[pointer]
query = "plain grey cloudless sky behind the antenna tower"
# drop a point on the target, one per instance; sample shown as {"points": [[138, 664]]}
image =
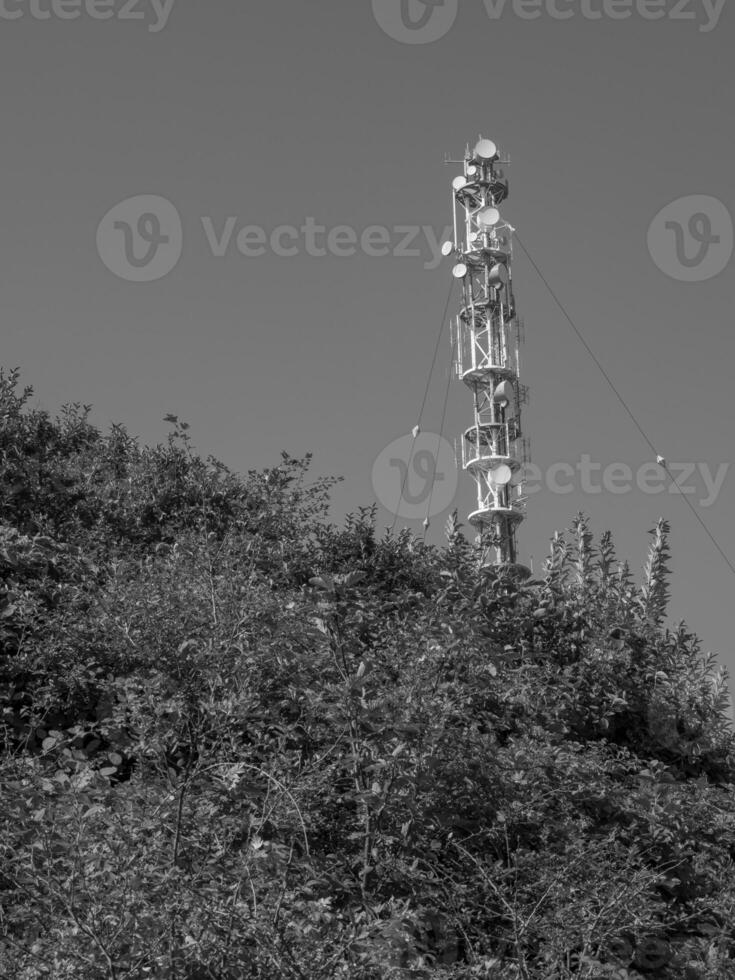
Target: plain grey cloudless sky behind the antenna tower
{"points": [[231, 212]]}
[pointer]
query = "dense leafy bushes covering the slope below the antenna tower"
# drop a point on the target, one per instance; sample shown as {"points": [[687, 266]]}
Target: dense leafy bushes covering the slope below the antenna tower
{"points": [[240, 742]]}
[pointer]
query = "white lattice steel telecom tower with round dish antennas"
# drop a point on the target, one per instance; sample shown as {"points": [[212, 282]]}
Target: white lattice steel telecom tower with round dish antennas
{"points": [[487, 335]]}
